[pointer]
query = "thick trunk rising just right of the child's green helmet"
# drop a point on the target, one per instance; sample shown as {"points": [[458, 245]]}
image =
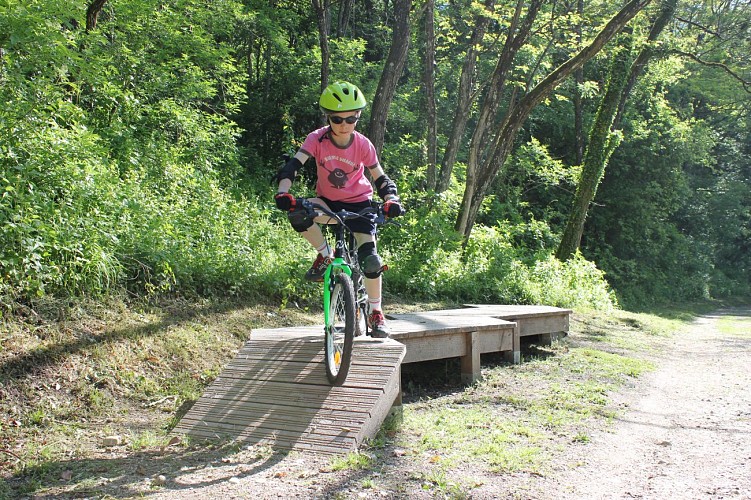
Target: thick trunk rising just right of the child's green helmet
{"points": [[391, 73]]}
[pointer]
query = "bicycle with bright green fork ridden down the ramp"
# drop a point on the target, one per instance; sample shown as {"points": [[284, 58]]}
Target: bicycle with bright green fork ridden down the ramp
{"points": [[345, 302]]}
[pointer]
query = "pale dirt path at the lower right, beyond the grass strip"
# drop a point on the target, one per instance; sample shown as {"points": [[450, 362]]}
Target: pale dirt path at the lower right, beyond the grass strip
{"points": [[688, 431]]}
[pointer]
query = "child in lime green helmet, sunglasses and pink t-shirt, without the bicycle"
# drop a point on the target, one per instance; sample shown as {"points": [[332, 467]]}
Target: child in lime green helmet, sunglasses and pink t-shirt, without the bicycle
{"points": [[343, 156]]}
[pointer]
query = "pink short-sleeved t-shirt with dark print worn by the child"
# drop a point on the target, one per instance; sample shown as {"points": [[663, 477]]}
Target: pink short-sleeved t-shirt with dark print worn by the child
{"points": [[341, 171]]}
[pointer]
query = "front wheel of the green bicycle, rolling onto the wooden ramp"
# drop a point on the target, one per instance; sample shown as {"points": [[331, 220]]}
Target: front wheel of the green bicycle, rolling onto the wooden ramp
{"points": [[340, 333]]}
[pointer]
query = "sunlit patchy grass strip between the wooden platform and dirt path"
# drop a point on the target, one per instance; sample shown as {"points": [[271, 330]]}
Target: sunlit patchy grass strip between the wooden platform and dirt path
{"points": [[519, 416]]}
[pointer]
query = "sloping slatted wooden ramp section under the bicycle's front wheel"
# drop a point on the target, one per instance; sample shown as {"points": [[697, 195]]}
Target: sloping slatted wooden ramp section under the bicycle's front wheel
{"points": [[275, 392]]}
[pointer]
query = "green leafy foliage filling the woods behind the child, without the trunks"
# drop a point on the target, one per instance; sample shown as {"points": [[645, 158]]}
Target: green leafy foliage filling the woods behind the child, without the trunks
{"points": [[137, 155]]}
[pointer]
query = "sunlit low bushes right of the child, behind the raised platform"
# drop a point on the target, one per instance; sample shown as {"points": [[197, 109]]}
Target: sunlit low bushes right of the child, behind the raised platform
{"points": [[428, 261]]}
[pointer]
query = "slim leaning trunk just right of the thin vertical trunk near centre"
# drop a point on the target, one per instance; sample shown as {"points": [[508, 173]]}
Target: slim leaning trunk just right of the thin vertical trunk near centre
{"points": [[464, 99]]}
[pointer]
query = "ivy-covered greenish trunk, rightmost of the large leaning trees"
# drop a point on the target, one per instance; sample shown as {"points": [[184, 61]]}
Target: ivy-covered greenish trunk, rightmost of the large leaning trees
{"points": [[602, 142]]}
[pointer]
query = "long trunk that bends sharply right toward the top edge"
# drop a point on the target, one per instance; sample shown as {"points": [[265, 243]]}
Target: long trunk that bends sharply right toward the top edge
{"points": [[476, 190]]}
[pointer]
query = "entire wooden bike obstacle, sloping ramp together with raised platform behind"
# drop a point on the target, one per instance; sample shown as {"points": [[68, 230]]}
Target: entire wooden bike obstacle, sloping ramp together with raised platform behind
{"points": [[275, 391]]}
